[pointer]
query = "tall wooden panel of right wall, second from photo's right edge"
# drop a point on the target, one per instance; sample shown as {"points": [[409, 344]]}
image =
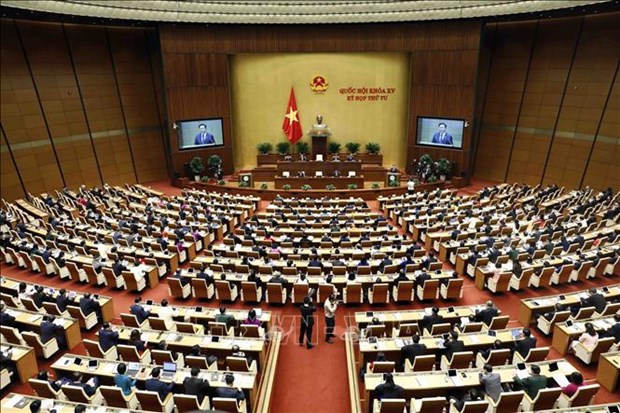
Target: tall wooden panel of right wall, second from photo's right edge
{"points": [[590, 80]]}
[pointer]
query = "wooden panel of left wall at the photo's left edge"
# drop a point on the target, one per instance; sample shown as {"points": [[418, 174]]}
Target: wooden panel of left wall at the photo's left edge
{"points": [[22, 120]]}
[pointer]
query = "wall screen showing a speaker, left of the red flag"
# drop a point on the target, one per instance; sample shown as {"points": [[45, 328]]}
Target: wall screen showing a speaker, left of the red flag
{"points": [[200, 133]]}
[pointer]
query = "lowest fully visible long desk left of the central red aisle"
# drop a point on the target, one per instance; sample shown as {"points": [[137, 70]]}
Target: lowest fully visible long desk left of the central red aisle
{"points": [[106, 370]]}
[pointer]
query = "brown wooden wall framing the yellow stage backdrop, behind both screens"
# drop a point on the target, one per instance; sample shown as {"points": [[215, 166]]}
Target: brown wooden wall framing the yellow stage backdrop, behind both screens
{"points": [[443, 71]]}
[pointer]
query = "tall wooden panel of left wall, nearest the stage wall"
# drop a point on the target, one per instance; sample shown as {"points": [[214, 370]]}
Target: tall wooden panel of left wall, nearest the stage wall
{"points": [[134, 75]]}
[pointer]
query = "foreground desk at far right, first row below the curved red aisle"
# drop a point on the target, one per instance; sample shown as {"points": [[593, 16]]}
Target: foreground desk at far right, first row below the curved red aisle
{"points": [[529, 308]]}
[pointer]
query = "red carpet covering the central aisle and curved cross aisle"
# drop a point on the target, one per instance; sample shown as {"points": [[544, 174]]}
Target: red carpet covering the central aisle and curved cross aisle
{"points": [[316, 380]]}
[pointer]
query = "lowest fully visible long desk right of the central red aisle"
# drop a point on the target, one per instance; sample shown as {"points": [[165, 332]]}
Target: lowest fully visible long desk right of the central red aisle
{"points": [[436, 383]]}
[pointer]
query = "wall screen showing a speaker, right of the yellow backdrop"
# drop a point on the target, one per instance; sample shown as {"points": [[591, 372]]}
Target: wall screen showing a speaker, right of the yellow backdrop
{"points": [[440, 132]]}
